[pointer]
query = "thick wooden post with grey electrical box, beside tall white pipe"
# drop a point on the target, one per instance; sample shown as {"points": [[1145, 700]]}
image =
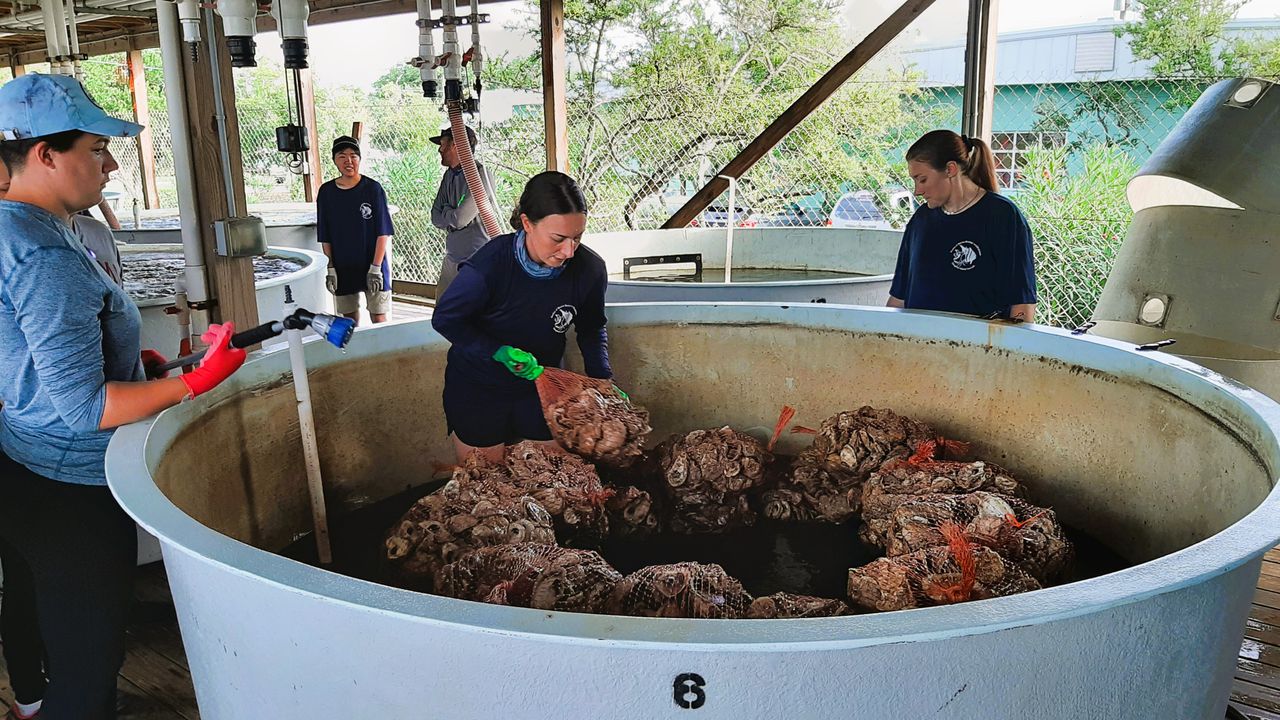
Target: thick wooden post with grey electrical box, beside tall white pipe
{"points": [[231, 280]]}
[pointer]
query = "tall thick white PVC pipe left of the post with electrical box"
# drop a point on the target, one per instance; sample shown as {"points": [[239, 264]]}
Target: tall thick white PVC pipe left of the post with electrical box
{"points": [[176, 97]]}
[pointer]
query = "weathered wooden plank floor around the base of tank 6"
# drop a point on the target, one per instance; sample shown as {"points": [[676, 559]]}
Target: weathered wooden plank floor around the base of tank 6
{"points": [[157, 682]]}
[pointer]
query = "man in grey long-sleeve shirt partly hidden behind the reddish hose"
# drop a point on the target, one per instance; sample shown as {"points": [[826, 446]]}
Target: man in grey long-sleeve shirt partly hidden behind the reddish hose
{"points": [[455, 209]]}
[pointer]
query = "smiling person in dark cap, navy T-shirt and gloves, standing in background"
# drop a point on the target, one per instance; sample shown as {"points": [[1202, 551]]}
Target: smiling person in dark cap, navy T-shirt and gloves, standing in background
{"points": [[354, 224]]}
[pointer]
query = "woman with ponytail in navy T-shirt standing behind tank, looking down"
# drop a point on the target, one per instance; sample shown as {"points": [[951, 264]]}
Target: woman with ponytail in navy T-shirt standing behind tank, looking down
{"points": [[968, 249]]}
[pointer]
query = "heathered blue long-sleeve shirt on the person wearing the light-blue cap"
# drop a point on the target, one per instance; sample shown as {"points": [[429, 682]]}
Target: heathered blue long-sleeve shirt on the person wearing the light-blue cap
{"points": [[66, 331]]}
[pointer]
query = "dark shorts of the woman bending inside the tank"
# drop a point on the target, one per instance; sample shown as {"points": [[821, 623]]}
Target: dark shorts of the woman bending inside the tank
{"points": [[486, 416]]}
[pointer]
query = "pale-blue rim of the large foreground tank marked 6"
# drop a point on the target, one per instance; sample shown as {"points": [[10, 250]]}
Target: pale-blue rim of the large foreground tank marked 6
{"points": [[1242, 543]]}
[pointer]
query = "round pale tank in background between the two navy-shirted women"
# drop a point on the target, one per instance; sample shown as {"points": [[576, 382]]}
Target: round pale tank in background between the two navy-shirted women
{"points": [[867, 257]]}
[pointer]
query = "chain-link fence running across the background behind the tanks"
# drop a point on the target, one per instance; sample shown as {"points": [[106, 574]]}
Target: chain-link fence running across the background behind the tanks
{"points": [[1067, 143]]}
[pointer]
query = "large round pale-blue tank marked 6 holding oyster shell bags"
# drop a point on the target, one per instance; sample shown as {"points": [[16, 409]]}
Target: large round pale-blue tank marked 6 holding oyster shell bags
{"points": [[1159, 459]]}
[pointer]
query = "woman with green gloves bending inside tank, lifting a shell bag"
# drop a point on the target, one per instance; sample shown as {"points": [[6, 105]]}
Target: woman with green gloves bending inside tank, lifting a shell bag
{"points": [[522, 291]]}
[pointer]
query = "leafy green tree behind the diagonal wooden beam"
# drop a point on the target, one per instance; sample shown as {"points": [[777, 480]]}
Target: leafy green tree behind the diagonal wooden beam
{"points": [[664, 94]]}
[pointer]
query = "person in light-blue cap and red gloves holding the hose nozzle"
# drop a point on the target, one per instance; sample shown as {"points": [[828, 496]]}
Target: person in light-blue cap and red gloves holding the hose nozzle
{"points": [[71, 372]]}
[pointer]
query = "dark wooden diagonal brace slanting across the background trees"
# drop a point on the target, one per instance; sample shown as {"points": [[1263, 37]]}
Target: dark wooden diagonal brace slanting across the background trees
{"points": [[813, 98]]}
